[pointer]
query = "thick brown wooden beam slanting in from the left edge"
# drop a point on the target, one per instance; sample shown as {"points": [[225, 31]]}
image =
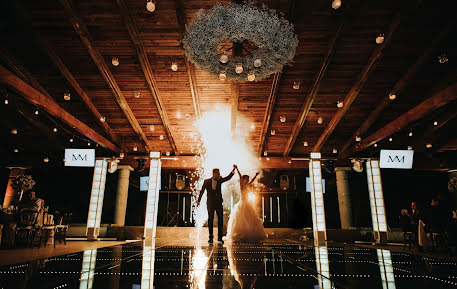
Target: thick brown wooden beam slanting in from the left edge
{"points": [[48, 104]]}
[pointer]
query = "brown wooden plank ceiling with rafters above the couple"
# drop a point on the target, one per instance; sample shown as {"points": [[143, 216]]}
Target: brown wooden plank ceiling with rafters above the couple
{"points": [[67, 46]]}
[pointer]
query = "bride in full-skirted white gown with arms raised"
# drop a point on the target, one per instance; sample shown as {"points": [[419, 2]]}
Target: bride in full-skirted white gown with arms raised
{"points": [[244, 224]]}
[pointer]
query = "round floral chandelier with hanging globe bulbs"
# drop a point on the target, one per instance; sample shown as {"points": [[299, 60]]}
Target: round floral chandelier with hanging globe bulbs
{"points": [[240, 42]]}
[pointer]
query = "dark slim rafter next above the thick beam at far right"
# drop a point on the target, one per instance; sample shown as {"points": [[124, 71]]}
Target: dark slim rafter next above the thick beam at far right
{"points": [[397, 89]]}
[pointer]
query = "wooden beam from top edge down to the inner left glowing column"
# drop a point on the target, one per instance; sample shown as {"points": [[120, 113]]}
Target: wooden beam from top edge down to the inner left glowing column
{"points": [[81, 29]]}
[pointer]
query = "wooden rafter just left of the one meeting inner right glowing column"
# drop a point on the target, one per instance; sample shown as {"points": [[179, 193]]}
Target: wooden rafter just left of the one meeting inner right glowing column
{"points": [[312, 94]]}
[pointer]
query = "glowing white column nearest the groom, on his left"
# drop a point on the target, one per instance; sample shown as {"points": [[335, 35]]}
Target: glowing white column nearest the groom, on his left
{"points": [[152, 199]]}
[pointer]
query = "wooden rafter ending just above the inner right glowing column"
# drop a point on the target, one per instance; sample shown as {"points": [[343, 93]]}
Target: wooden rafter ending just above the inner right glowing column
{"points": [[357, 86]]}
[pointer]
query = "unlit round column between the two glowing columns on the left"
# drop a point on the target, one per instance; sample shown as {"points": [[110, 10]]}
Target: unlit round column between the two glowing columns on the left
{"points": [[122, 195]]}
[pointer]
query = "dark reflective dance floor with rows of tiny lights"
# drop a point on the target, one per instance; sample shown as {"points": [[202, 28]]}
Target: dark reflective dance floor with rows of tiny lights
{"points": [[271, 265]]}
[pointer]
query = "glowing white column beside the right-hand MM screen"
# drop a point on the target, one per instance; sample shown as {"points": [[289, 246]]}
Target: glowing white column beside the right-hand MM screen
{"points": [[378, 212]]}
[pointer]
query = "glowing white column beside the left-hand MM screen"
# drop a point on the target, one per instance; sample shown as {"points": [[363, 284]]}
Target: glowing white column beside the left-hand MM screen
{"points": [[96, 199]]}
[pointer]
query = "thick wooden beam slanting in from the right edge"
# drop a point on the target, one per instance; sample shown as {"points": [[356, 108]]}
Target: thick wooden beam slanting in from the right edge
{"points": [[432, 103]]}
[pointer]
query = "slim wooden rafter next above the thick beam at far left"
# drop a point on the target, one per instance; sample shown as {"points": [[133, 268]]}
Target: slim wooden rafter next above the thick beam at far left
{"points": [[74, 83]]}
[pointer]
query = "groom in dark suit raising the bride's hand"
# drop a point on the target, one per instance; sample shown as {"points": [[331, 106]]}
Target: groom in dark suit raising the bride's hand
{"points": [[214, 201]]}
